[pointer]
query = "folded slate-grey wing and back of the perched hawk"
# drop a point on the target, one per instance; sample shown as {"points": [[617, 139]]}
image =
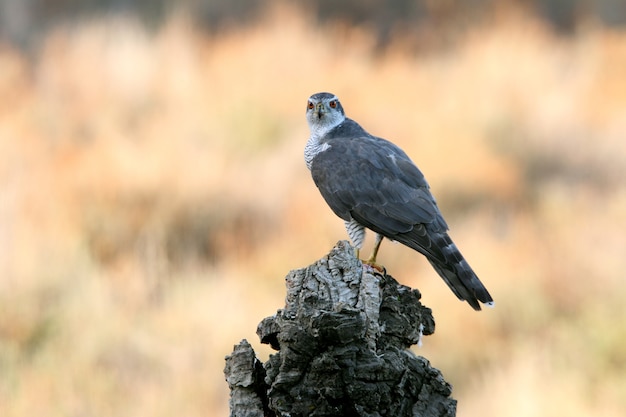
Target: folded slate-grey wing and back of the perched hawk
{"points": [[374, 182]]}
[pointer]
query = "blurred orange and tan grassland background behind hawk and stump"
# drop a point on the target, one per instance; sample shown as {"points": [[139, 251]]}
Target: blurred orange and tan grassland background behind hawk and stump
{"points": [[153, 193]]}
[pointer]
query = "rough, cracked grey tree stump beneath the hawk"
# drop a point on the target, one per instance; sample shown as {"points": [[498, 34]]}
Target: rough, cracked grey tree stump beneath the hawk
{"points": [[342, 342]]}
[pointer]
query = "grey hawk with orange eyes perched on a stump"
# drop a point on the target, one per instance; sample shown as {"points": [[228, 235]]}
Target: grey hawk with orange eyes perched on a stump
{"points": [[372, 184]]}
